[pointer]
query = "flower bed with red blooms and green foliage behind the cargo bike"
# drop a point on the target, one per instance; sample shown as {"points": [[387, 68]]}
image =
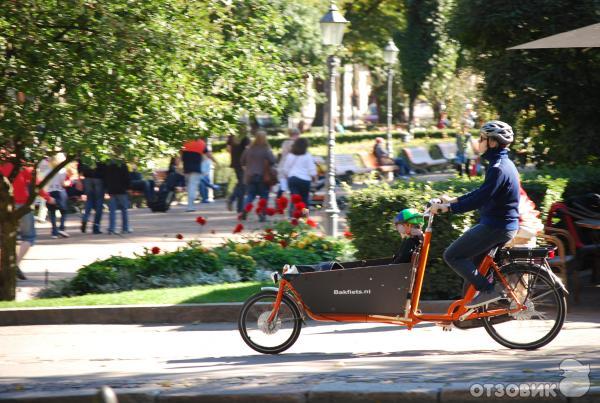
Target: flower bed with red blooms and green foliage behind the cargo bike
{"points": [[286, 241]]}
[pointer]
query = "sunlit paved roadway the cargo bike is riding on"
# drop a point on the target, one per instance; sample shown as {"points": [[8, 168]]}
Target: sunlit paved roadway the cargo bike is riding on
{"points": [[214, 358]]}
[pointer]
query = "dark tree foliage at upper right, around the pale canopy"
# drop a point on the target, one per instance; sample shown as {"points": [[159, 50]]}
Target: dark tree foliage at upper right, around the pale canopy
{"points": [[549, 93]]}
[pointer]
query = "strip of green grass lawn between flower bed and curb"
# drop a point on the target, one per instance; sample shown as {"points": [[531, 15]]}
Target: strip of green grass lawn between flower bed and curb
{"points": [[233, 292]]}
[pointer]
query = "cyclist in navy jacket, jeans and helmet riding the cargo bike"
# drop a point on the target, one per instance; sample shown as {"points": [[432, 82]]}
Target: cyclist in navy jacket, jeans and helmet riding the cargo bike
{"points": [[497, 200]]}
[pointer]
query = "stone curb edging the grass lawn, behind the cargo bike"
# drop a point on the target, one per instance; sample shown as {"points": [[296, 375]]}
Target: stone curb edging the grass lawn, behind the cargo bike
{"points": [[141, 314]]}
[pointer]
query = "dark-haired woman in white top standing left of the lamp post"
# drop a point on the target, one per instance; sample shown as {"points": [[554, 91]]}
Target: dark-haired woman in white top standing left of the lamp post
{"points": [[300, 169]]}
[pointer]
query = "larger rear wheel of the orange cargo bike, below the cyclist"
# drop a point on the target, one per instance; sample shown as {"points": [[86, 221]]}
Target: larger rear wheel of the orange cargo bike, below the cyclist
{"points": [[543, 319]]}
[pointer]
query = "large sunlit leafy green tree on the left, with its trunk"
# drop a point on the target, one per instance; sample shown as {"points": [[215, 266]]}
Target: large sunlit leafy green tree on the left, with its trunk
{"points": [[133, 77]]}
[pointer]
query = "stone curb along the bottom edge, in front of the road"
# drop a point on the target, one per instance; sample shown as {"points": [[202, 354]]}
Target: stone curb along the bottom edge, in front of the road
{"points": [[317, 394]]}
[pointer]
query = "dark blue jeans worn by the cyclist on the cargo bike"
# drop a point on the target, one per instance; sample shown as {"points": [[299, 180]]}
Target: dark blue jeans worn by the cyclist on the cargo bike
{"points": [[477, 241]]}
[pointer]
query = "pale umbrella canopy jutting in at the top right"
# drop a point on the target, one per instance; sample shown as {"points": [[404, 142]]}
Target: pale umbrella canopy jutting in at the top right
{"points": [[586, 37]]}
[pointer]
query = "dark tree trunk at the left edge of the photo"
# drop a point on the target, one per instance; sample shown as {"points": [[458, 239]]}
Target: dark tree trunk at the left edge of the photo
{"points": [[8, 239]]}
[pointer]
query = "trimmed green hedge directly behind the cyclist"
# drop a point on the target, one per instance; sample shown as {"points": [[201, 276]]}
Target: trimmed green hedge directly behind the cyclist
{"points": [[371, 212]]}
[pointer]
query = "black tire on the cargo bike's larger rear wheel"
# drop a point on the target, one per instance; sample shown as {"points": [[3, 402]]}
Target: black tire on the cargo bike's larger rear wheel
{"points": [[561, 305]]}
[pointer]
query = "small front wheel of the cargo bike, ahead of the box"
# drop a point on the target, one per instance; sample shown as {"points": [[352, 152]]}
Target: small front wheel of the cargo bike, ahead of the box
{"points": [[262, 335]]}
